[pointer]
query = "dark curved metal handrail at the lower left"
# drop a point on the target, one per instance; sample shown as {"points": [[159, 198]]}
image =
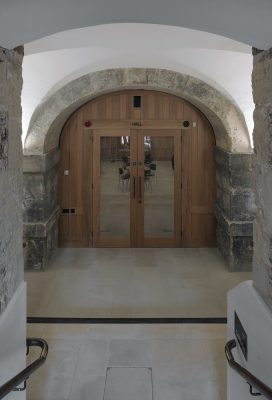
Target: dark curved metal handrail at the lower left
{"points": [[25, 373]]}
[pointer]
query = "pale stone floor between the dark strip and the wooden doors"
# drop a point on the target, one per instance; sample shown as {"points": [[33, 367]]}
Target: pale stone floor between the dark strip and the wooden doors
{"points": [[132, 283]]}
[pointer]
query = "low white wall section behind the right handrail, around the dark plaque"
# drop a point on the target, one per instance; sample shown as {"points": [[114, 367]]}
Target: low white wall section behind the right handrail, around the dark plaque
{"points": [[256, 319]]}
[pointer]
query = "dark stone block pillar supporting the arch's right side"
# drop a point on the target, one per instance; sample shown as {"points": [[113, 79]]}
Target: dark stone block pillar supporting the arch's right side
{"points": [[235, 208]]}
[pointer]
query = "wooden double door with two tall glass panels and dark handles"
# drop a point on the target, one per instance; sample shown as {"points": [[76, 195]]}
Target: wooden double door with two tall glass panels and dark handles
{"points": [[137, 188]]}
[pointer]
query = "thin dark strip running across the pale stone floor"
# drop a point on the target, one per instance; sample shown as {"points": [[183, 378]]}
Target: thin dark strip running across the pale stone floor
{"points": [[75, 320]]}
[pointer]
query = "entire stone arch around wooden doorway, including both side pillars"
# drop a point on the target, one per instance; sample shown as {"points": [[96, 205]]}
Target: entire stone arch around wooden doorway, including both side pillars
{"points": [[234, 206]]}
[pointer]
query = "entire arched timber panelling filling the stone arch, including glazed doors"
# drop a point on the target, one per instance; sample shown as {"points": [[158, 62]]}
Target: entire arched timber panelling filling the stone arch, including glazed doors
{"points": [[137, 169]]}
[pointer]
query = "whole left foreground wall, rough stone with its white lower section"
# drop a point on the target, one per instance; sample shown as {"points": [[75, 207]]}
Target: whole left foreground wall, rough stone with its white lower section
{"points": [[12, 287]]}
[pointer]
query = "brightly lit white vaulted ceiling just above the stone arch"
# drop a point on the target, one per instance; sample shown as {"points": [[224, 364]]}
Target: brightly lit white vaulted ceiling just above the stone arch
{"points": [[57, 60]]}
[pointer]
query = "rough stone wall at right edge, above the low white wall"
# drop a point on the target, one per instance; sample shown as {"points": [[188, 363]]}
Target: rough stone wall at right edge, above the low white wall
{"points": [[262, 94]]}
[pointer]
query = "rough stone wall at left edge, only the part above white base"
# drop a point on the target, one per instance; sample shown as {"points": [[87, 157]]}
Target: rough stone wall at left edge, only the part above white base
{"points": [[11, 244]]}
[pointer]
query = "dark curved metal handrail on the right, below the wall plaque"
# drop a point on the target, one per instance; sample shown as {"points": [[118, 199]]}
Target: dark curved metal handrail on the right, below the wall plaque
{"points": [[244, 373]]}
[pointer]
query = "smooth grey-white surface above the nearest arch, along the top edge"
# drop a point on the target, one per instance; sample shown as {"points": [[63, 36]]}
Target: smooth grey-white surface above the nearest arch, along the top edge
{"points": [[248, 21]]}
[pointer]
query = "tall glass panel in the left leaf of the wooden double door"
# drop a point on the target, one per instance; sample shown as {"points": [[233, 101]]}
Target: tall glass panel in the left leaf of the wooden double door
{"points": [[113, 190]]}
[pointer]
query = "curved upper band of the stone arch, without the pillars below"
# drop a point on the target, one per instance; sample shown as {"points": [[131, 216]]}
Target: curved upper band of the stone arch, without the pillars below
{"points": [[48, 119]]}
